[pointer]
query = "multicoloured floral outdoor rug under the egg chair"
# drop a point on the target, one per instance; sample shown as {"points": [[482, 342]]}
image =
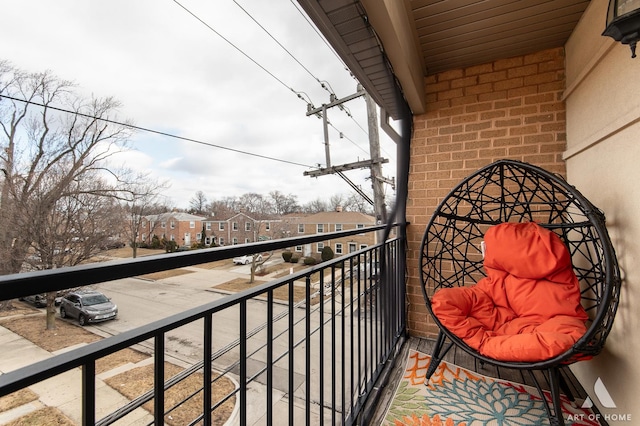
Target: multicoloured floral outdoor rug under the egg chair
{"points": [[459, 397]]}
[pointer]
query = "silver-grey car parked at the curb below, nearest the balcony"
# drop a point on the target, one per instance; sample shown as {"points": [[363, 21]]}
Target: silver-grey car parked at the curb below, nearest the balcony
{"points": [[88, 306]]}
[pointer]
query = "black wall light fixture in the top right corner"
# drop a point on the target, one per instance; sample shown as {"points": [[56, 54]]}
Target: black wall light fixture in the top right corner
{"points": [[623, 22]]}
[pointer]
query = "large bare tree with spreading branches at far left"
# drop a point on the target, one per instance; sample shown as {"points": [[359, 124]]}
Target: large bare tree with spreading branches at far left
{"points": [[55, 149]]}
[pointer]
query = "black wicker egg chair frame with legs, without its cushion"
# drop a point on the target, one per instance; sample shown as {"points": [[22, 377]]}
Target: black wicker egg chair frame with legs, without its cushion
{"points": [[512, 191]]}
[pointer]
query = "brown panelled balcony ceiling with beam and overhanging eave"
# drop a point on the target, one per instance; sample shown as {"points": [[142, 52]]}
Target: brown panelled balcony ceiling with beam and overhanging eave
{"points": [[397, 43]]}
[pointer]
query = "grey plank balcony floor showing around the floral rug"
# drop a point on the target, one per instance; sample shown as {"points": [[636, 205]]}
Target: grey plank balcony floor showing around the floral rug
{"points": [[462, 359]]}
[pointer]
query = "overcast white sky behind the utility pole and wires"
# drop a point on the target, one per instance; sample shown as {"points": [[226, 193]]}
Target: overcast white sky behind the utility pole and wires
{"points": [[174, 74]]}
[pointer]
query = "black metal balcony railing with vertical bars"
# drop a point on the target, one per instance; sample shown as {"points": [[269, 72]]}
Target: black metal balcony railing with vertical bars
{"points": [[311, 358]]}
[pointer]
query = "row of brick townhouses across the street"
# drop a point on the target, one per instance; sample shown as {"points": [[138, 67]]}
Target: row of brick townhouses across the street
{"points": [[241, 228]]}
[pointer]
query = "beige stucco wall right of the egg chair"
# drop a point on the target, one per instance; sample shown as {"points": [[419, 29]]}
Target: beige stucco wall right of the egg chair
{"points": [[603, 113]]}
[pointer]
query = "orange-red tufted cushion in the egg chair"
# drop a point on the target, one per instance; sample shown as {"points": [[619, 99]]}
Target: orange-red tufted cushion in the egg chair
{"points": [[527, 308]]}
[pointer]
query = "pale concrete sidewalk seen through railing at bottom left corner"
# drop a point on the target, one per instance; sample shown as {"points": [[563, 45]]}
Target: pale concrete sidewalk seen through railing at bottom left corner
{"points": [[63, 391]]}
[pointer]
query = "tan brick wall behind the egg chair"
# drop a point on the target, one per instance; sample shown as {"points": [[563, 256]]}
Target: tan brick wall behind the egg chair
{"points": [[510, 108]]}
